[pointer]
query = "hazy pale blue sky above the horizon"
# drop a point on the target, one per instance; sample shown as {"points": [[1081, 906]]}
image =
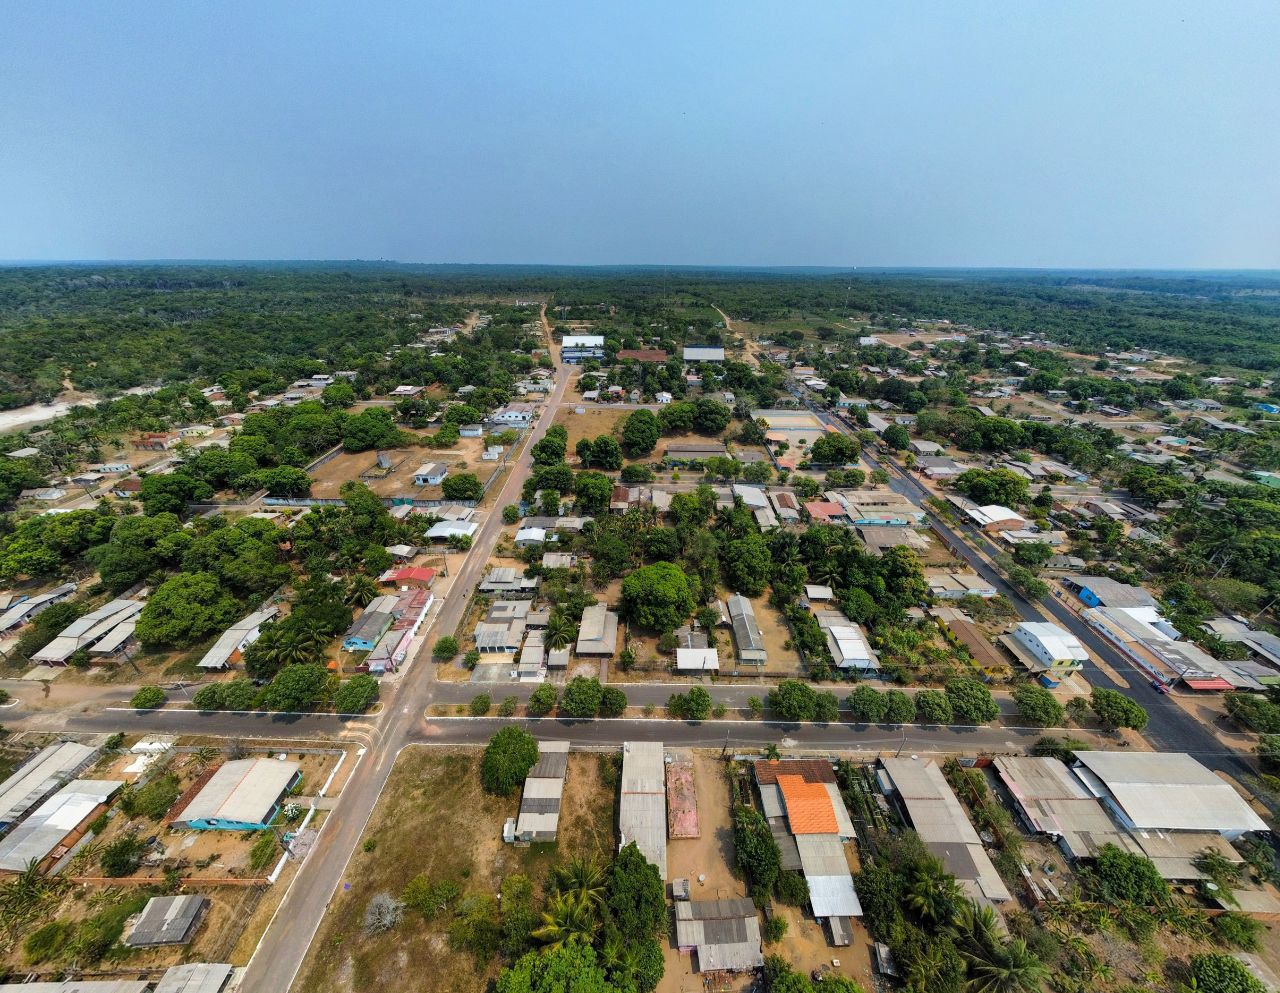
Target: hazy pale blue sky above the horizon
{"points": [[742, 134]]}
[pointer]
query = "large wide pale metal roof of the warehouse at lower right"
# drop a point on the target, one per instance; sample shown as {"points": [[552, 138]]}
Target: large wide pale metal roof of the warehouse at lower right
{"points": [[1165, 791]]}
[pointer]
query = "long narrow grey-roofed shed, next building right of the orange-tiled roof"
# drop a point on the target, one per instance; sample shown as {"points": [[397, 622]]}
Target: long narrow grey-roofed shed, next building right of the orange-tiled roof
{"points": [[938, 817]]}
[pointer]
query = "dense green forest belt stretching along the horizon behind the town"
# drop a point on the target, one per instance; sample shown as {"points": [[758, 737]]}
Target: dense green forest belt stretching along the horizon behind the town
{"points": [[116, 327]]}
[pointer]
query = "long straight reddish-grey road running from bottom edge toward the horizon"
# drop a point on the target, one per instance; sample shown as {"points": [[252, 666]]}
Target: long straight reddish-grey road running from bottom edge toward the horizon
{"points": [[282, 950]]}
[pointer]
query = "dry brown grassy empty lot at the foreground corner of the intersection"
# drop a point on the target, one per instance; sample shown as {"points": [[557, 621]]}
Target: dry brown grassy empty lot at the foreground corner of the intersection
{"points": [[436, 797]]}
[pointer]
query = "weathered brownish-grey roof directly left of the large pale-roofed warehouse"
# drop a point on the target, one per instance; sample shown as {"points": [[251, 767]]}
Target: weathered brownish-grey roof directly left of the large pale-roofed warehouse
{"points": [[1055, 803]]}
